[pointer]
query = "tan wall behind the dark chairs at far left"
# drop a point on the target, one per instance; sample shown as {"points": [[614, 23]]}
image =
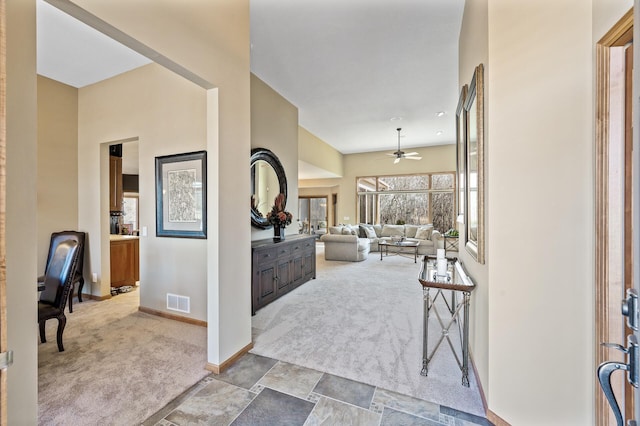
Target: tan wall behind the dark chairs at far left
{"points": [[57, 162]]}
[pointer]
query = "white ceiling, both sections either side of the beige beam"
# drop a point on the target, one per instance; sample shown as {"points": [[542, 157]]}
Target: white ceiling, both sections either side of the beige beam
{"points": [[351, 67]]}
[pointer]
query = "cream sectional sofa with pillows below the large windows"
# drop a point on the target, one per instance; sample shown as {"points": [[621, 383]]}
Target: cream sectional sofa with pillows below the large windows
{"points": [[429, 238]]}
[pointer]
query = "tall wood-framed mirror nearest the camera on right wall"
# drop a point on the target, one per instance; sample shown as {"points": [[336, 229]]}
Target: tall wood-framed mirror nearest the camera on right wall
{"points": [[474, 112]]}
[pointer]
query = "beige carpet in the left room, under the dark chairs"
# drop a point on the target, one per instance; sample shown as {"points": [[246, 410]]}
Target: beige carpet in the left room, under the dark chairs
{"points": [[119, 365]]}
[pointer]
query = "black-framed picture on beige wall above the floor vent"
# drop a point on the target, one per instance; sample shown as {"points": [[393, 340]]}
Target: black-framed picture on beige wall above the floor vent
{"points": [[181, 195]]}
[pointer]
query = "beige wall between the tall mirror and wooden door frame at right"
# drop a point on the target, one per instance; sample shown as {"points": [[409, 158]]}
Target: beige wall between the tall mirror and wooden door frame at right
{"points": [[534, 304]]}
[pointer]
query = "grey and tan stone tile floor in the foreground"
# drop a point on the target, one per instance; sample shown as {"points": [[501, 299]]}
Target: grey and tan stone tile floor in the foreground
{"points": [[264, 391]]}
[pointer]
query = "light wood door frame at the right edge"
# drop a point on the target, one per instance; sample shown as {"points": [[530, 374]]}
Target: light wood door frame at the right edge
{"points": [[619, 35]]}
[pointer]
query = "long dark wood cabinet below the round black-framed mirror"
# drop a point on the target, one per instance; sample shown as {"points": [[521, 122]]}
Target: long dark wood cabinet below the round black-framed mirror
{"points": [[278, 268]]}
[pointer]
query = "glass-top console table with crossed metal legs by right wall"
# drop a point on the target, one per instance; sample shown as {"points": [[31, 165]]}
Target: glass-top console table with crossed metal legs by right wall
{"points": [[455, 310]]}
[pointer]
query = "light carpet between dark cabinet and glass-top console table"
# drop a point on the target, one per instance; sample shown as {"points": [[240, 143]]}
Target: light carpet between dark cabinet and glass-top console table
{"points": [[363, 321]]}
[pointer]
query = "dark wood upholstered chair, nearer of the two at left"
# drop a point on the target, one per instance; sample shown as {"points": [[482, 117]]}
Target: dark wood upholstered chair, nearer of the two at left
{"points": [[58, 282]]}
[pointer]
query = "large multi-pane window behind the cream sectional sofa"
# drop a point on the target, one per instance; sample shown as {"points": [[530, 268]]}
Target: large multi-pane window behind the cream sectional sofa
{"points": [[411, 199]]}
